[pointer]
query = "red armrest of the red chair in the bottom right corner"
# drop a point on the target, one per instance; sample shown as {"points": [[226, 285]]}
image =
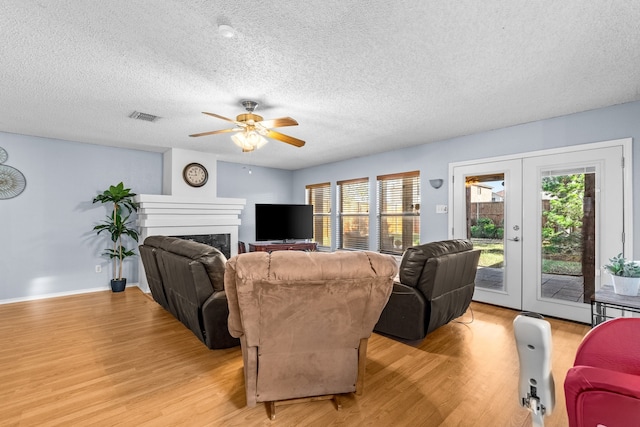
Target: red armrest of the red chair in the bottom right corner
{"points": [[600, 396]]}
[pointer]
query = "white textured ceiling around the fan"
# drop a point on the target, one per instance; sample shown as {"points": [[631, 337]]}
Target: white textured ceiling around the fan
{"points": [[359, 78]]}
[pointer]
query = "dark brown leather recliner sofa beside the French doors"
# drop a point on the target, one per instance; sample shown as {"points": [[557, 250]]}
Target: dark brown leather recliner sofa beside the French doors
{"points": [[437, 281]]}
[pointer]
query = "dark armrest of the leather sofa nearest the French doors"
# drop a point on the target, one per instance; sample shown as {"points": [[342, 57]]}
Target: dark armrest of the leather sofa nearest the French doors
{"points": [[405, 313]]}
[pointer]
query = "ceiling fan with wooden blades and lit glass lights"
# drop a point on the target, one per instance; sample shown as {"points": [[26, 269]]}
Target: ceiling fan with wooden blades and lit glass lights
{"points": [[252, 129]]}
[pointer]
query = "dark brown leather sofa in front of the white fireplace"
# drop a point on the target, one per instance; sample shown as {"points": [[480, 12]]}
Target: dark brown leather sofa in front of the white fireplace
{"points": [[187, 279]]}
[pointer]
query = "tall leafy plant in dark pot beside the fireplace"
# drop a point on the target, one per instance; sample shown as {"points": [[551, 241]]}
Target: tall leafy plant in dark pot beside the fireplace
{"points": [[117, 225]]}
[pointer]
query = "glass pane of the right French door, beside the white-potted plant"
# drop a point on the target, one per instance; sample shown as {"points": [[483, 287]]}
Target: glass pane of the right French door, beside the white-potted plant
{"points": [[568, 235]]}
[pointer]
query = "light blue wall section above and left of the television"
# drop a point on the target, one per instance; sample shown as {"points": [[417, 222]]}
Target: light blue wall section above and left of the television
{"points": [[257, 185]]}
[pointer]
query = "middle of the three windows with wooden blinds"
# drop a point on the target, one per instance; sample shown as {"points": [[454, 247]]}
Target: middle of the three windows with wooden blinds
{"points": [[353, 221]]}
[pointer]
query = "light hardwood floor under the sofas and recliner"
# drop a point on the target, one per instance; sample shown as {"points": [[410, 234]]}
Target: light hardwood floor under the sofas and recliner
{"points": [[120, 359]]}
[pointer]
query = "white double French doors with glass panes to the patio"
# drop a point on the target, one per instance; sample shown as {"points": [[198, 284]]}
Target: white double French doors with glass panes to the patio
{"points": [[545, 224]]}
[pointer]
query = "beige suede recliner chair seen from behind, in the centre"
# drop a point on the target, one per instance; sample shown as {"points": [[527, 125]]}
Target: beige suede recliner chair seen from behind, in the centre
{"points": [[303, 319]]}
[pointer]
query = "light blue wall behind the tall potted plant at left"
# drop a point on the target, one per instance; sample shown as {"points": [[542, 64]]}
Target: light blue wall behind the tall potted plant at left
{"points": [[47, 245]]}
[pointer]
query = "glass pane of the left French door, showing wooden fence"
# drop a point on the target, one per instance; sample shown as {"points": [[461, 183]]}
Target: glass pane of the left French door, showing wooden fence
{"points": [[485, 227]]}
